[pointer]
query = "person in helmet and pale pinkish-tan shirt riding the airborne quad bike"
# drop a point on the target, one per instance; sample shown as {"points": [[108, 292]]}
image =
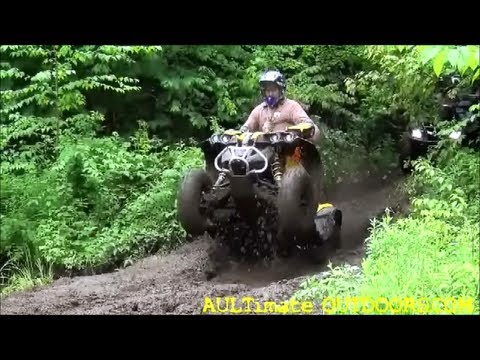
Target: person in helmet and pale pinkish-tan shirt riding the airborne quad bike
{"points": [[277, 112]]}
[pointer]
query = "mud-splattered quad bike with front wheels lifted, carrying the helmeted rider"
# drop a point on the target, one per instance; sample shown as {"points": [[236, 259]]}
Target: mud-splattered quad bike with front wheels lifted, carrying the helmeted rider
{"points": [[259, 195]]}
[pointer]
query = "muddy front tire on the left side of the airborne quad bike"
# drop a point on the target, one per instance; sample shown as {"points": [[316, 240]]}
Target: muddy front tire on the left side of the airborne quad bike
{"points": [[189, 198]]}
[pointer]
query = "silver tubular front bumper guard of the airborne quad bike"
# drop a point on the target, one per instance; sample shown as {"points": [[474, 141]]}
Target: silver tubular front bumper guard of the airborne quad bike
{"points": [[238, 164]]}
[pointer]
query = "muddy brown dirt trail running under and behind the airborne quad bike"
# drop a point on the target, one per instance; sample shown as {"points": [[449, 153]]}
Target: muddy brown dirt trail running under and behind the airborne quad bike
{"points": [[175, 283]]}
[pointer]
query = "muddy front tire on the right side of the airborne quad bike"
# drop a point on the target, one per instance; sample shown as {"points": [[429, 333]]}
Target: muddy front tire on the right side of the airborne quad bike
{"points": [[297, 205]]}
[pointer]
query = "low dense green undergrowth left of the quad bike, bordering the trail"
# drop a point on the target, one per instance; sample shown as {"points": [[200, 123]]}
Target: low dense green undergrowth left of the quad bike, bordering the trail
{"points": [[103, 204]]}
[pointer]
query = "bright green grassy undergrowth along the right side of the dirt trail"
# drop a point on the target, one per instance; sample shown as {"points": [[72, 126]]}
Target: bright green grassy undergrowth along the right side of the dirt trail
{"points": [[423, 263]]}
